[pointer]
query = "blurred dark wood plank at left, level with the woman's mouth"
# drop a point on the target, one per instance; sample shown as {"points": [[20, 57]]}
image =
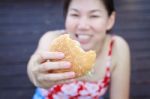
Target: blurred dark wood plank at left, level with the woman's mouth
{"points": [[15, 39]]}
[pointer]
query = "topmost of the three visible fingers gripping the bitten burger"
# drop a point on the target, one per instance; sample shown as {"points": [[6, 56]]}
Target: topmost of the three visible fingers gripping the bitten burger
{"points": [[49, 55]]}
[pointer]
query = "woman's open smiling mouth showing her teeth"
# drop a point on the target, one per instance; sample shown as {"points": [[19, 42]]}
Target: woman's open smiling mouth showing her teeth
{"points": [[83, 38]]}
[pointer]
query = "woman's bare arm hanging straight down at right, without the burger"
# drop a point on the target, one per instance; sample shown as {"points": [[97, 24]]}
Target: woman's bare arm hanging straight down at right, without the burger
{"points": [[120, 79]]}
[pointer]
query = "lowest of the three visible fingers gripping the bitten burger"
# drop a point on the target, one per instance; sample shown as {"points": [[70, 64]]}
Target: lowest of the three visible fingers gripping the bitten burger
{"points": [[56, 76]]}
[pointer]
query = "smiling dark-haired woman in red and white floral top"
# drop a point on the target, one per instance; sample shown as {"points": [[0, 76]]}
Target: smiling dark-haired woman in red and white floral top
{"points": [[90, 23]]}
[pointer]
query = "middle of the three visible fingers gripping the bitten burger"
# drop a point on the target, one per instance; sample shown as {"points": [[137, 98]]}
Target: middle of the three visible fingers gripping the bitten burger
{"points": [[54, 65]]}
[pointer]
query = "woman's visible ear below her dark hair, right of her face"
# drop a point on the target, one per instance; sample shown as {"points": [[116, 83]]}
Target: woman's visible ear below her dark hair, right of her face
{"points": [[111, 21]]}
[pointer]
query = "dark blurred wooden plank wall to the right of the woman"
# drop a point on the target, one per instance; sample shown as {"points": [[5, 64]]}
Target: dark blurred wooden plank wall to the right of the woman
{"points": [[133, 23]]}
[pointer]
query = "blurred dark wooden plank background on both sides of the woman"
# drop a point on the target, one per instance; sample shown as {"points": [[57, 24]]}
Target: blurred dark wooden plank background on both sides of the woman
{"points": [[23, 22]]}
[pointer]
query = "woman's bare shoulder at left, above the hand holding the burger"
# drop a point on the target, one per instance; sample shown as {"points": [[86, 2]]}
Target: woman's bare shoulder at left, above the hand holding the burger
{"points": [[47, 38]]}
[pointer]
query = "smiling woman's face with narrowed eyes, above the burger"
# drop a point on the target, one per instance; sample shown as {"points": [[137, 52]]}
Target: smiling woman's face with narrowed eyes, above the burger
{"points": [[87, 22]]}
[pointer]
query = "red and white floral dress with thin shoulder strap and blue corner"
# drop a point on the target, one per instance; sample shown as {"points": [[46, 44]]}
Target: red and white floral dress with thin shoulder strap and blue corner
{"points": [[79, 89]]}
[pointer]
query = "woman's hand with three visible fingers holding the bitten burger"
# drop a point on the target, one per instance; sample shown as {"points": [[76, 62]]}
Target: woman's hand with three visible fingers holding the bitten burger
{"points": [[45, 79]]}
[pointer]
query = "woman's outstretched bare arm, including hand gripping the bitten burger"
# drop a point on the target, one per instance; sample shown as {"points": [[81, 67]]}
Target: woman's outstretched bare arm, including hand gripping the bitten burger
{"points": [[38, 70]]}
